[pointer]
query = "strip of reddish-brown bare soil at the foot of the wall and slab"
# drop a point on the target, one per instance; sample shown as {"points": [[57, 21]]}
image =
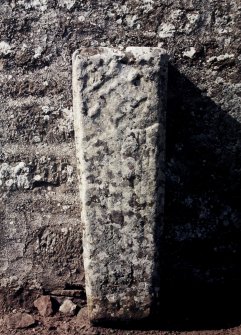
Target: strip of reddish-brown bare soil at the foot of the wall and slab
{"points": [[79, 324]]}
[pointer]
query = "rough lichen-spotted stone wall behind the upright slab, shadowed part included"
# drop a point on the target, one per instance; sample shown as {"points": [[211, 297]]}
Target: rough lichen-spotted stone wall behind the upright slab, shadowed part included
{"points": [[40, 240]]}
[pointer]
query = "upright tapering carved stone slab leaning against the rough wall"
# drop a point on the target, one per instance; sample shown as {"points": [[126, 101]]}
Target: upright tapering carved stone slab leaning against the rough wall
{"points": [[119, 112]]}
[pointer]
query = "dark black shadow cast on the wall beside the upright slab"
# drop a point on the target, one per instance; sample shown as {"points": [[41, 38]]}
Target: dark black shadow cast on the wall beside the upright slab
{"points": [[201, 251]]}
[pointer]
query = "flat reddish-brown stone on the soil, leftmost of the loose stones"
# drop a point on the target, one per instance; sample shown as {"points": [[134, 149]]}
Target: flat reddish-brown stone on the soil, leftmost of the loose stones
{"points": [[19, 320]]}
